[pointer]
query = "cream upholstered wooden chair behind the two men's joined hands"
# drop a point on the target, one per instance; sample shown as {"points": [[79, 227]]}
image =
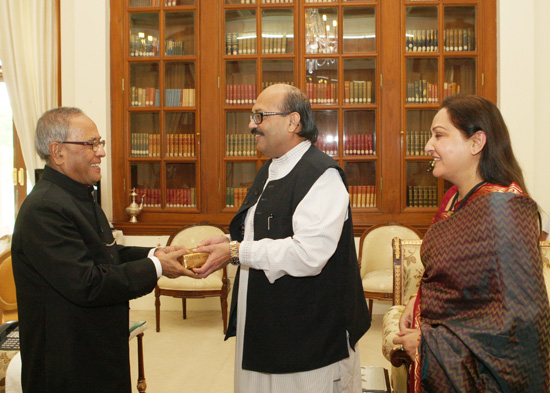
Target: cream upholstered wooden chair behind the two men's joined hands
{"points": [[217, 284]]}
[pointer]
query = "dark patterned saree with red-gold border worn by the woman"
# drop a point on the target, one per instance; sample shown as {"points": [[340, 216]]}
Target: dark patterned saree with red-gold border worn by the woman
{"points": [[485, 316]]}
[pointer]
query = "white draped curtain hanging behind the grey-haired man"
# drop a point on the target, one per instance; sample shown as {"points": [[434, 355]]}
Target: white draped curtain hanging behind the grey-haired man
{"points": [[28, 50]]}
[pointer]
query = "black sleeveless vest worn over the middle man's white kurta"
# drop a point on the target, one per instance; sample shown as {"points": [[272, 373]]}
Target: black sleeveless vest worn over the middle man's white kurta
{"points": [[297, 323]]}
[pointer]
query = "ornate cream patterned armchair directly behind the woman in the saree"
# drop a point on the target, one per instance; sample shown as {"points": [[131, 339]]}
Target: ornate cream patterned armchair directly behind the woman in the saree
{"points": [[408, 270]]}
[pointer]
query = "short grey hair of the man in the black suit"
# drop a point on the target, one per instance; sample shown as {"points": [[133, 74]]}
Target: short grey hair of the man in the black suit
{"points": [[53, 126]]}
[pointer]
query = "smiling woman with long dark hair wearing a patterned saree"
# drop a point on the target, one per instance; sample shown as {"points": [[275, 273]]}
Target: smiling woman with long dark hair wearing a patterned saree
{"points": [[481, 319]]}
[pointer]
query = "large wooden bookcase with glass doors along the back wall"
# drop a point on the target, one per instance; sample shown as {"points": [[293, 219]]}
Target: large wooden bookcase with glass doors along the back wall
{"points": [[185, 73]]}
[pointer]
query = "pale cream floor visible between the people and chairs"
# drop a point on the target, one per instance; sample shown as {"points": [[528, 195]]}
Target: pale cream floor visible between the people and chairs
{"points": [[190, 356]]}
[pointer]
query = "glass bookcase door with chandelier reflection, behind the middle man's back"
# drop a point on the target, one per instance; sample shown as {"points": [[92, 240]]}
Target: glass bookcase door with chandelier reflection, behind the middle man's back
{"points": [[340, 42]]}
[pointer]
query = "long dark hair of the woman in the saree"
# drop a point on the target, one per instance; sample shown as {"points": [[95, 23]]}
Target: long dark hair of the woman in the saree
{"points": [[470, 114]]}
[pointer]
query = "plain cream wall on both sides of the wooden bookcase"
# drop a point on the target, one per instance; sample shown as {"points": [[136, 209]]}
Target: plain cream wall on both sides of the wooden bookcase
{"points": [[523, 89]]}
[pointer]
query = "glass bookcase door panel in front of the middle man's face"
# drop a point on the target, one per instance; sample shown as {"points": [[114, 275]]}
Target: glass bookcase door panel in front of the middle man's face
{"points": [[260, 50]]}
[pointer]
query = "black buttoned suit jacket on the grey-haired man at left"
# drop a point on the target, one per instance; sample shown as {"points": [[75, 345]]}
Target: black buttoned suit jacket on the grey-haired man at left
{"points": [[73, 285]]}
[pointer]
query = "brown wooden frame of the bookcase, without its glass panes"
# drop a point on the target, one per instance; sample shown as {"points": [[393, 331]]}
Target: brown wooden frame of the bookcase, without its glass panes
{"points": [[390, 106]]}
